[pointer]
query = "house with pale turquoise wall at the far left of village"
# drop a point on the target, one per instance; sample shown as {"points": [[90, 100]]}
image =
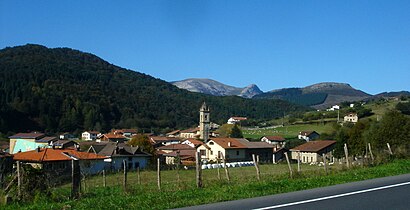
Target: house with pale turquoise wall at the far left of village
{"points": [[22, 142]]}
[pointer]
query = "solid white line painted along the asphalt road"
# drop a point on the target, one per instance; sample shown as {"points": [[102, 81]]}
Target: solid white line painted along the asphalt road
{"points": [[333, 196]]}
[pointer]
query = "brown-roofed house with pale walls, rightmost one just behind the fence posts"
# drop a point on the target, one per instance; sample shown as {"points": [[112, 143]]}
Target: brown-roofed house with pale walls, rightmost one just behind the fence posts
{"points": [[312, 151]]}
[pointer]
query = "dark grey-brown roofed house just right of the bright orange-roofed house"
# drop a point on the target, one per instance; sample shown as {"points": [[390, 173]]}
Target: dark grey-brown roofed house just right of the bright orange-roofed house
{"points": [[118, 152]]}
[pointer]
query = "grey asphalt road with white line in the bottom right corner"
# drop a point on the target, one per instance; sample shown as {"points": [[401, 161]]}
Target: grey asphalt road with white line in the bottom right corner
{"points": [[382, 193]]}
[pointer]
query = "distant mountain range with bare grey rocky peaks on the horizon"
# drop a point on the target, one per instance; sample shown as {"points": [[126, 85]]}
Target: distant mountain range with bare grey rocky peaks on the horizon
{"points": [[320, 95]]}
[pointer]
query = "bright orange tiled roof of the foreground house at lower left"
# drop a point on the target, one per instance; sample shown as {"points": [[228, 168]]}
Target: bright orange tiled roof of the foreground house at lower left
{"points": [[48, 154]]}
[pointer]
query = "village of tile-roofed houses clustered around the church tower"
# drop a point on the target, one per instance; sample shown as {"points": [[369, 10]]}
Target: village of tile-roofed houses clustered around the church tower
{"points": [[110, 151]]}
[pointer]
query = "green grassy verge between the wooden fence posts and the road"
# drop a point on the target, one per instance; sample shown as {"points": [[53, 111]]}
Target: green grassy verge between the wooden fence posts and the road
{"points": [[176, 195]]}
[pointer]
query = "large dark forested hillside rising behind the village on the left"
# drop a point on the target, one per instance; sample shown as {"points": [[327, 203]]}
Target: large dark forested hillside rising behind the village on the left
{"points": [[60, 89]]}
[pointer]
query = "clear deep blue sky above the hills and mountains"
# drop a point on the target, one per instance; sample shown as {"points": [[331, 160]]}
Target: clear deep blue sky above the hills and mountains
{"points": [[271, 43]]}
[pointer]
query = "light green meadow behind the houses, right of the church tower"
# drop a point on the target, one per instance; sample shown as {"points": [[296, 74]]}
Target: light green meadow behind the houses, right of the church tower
{"points": [[288, 131]]}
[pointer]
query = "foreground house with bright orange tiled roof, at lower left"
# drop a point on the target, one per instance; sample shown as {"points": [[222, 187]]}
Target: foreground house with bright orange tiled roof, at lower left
{"points": [[58, 161]]}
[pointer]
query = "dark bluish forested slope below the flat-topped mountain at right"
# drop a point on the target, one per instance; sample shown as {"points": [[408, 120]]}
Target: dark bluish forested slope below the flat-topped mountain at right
{"points": [[295, 95]]}
